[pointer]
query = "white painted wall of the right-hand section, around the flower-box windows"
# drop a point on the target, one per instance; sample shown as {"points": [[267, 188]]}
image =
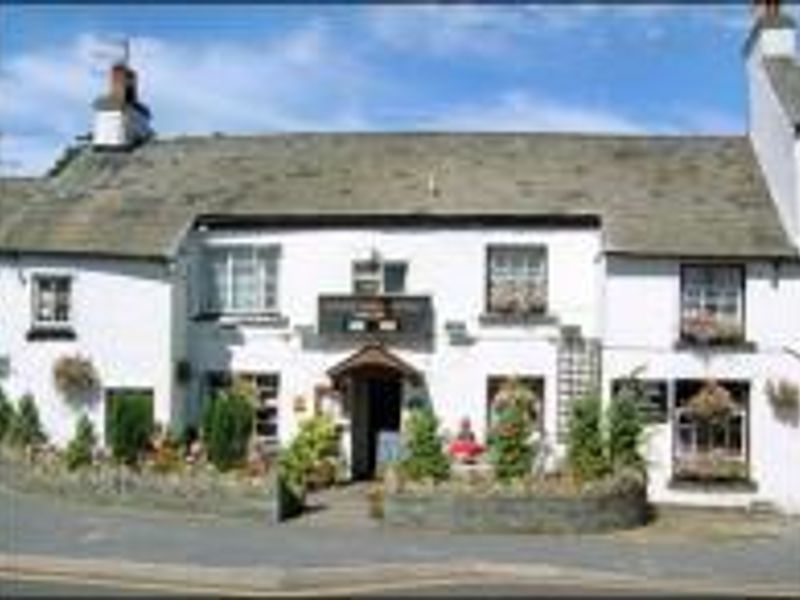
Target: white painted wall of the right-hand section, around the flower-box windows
{"points": [[641, 326]]}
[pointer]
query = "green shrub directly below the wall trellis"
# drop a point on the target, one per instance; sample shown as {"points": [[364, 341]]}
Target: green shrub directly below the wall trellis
{"points": [[586, 454]]}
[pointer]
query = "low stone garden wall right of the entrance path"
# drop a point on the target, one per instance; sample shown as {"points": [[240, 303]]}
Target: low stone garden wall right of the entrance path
{"points": [[613, 506]]}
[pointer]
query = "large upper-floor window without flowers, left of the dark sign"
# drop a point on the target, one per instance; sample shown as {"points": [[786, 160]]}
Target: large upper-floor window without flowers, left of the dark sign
{"points": [[241, 279]]}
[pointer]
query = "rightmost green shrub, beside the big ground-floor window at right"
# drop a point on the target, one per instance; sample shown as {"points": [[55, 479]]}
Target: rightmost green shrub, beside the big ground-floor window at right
{"points": [[625, 429]]}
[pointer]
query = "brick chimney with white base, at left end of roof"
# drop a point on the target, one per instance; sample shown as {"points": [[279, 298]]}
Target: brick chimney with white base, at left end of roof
{"points": [[120, 120]]}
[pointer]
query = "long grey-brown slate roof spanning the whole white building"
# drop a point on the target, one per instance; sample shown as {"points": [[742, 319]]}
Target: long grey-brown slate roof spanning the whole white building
{"points": [[672, 196]]}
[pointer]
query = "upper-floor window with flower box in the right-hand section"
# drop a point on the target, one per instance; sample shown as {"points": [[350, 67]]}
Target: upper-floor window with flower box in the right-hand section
{"points": [[712, 303]]}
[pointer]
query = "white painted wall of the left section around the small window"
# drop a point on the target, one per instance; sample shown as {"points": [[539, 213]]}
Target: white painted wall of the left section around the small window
{"points": [[121, 314]]}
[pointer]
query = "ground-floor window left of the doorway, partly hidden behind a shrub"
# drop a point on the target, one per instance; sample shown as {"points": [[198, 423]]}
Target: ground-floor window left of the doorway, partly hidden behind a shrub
{"points": [[264, 388]]}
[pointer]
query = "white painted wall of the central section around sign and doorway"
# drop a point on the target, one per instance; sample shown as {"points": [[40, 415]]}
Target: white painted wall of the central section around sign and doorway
{"points": [[448, 265]]}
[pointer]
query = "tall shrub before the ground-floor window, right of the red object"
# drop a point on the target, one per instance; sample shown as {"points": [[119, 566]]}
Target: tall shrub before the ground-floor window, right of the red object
{"points": [[510, 450]]}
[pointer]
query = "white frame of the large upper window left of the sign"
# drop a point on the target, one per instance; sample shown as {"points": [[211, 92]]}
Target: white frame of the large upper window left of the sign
{"points": [[262, 257]]}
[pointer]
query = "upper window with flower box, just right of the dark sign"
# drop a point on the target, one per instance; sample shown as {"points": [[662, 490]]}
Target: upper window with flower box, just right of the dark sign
{"points": [[517, 279]]}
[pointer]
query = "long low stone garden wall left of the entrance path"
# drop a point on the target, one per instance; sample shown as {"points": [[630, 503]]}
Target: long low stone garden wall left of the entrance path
{"points": [[200, 489]]}
